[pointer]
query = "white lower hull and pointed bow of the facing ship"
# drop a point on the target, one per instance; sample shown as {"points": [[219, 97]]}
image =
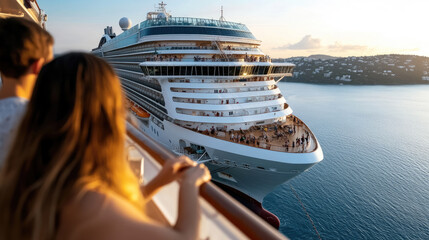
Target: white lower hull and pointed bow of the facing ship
{"points": [[252, 171]]}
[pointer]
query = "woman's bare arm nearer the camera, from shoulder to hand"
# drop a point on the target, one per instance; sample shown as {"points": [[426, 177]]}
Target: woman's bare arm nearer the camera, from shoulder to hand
{"points": [[117, 222]]}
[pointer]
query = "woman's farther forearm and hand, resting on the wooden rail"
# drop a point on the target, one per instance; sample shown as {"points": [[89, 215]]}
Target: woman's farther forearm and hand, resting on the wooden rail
{"points": [[171, 171]]}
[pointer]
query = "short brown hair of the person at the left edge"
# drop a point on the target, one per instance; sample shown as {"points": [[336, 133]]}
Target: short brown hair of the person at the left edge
{"points": [[22, 42]]}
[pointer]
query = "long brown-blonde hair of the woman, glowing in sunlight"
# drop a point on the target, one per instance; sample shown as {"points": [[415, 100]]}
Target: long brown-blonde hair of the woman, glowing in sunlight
{"points": [[71, 136]]}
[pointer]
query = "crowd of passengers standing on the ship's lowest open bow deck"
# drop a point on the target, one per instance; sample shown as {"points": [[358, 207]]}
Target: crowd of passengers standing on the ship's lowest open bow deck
{"points": [[277, 134]]}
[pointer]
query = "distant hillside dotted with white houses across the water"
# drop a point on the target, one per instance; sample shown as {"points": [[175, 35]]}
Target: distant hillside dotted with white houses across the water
{"points": [[372, 70]]}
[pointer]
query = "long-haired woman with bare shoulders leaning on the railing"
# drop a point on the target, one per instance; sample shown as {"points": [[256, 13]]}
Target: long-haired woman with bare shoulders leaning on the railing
{"points": [[66, 176]]}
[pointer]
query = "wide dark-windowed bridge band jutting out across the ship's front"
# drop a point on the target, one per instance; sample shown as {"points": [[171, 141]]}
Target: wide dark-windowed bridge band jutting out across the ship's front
{"points": [[215, 70]]}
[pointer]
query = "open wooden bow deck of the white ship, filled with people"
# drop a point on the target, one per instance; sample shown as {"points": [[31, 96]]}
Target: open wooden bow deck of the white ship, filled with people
{"points": [[291, 136]]}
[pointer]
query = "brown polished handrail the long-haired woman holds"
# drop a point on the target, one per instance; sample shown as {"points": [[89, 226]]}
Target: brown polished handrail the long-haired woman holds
{"points": [[245, 220]]}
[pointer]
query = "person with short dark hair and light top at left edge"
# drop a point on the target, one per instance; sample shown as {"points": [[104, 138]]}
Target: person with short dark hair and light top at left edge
{"points": [[24, 48]]}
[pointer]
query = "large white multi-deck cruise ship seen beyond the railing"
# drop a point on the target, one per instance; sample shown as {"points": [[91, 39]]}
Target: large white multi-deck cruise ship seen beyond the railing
{"points": [[203, 88]]}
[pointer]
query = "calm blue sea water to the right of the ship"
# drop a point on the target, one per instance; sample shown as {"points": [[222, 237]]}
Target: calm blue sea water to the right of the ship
{"points": [[374, 180]]}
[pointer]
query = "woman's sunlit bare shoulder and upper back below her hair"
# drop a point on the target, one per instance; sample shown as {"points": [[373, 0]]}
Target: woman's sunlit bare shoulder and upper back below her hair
{"points": [[106, 215]]}
